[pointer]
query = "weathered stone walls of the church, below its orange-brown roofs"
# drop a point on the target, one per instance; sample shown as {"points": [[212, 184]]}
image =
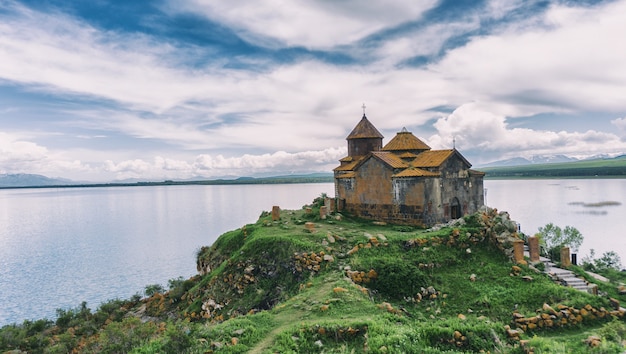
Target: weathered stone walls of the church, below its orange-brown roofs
{"points": [[374, 194]]}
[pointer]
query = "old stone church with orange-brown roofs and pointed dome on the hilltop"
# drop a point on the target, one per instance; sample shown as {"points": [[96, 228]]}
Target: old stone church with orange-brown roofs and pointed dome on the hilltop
{"points": [[405, 181]]}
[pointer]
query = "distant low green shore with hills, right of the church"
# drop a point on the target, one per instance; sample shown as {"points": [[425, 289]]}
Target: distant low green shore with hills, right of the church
{"points": [[615, 167]]}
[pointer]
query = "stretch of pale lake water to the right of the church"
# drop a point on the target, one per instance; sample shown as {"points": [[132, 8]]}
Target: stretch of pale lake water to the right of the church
{"points": [[580, 203]]}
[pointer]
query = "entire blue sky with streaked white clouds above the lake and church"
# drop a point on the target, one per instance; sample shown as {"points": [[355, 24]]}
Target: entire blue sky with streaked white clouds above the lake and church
{"points": [[108, 90]]}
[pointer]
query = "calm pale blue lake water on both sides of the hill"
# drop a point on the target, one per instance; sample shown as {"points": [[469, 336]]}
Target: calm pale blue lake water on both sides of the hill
{"points": [[59, 247]]}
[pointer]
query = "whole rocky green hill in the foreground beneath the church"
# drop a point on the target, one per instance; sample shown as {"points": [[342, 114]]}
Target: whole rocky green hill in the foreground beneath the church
{"points": [[301, 284]]}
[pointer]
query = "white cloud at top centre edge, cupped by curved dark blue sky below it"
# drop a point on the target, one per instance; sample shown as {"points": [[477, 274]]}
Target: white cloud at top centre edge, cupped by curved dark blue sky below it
{"points": [[312, 24]]}
